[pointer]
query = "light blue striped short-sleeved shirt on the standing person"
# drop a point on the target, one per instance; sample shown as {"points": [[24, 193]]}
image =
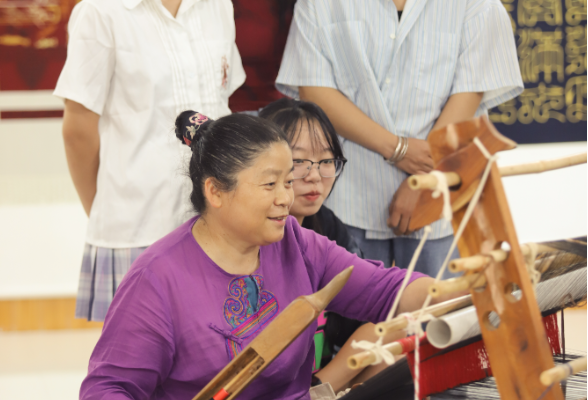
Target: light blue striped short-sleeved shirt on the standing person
{"points": [[401, 74]]}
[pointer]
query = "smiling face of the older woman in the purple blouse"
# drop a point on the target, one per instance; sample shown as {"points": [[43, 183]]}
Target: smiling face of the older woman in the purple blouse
{"points": [[256, 211]]}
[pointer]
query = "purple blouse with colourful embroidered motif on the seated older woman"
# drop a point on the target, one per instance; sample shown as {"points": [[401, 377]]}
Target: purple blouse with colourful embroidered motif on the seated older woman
{"points": [[177, 319]]}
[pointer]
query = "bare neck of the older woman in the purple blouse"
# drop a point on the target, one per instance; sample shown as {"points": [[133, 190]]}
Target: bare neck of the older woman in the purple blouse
{"points": [[230, 254]]}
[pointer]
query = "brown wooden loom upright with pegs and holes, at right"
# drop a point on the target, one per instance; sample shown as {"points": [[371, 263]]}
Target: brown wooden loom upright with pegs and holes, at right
{"points": [[518, 347]]}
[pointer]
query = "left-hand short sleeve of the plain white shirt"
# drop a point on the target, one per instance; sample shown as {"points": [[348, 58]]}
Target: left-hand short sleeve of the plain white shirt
{"points": [[88, 70]]}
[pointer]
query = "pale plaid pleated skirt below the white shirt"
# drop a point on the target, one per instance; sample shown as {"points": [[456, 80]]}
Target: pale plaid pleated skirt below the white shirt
{"points": [[102, 271]]}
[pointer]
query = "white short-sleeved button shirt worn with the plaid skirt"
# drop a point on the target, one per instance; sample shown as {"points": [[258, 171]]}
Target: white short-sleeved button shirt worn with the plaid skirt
{"points": [[138, 67]]}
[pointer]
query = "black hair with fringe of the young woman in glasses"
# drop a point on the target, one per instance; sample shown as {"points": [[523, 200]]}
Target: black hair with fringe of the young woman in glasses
{"points": [[292, 115]]}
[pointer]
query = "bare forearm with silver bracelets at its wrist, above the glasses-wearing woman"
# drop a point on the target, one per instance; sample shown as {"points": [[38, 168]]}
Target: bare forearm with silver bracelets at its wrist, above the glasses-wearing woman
{"points": [[350, 122]]}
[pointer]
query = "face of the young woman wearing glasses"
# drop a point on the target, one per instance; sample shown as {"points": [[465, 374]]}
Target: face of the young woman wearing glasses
{"points": [[311, 192]]}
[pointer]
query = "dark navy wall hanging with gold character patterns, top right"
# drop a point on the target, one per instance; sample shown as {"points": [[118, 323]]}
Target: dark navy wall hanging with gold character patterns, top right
{"points": [[551, 43]]}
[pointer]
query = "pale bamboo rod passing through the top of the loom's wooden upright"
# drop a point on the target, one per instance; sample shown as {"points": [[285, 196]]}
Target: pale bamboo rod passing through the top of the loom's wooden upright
{"points": [[428, 181]]}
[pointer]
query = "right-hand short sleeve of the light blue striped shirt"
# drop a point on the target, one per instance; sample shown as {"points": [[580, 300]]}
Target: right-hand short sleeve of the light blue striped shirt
{"points": [[488, 60]]}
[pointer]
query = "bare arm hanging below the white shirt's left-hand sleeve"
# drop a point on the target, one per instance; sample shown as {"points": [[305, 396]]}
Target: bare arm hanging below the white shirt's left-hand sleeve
{"points": [[82, 148]]}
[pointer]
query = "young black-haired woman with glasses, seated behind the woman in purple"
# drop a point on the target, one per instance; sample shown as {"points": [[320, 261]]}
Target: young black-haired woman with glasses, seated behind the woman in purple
{"points": [[318, 162]]}
